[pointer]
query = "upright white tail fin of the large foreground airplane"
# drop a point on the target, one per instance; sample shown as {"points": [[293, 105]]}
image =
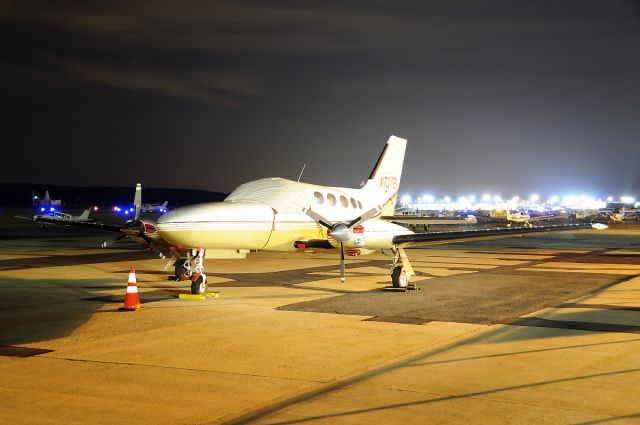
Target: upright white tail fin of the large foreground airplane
{"points": [[385, 176]]}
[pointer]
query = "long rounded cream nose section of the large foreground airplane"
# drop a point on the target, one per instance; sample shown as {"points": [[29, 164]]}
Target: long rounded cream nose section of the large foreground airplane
{"points": [[219, 225]]}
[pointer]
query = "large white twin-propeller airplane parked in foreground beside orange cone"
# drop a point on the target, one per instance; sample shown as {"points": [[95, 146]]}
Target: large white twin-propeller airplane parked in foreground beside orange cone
{"points": [[277, 214]]}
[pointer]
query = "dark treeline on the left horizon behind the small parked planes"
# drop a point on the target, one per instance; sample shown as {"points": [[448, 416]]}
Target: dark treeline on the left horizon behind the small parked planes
{"points": [[19, 194]]}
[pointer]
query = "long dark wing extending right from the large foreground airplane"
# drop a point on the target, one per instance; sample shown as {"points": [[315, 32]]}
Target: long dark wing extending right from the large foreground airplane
{"points": [[425, 238]]}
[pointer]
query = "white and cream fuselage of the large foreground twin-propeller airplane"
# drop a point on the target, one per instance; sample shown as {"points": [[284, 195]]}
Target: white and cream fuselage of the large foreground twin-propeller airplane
{"points": [[268, 214]]}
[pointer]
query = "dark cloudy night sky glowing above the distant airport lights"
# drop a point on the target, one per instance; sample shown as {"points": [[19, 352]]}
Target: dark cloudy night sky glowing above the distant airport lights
{"points": [[505, 96]]}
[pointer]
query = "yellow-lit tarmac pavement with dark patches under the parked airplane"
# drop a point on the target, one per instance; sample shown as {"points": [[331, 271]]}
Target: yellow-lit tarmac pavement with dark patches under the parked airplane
{"points": [[534, 329]]}
